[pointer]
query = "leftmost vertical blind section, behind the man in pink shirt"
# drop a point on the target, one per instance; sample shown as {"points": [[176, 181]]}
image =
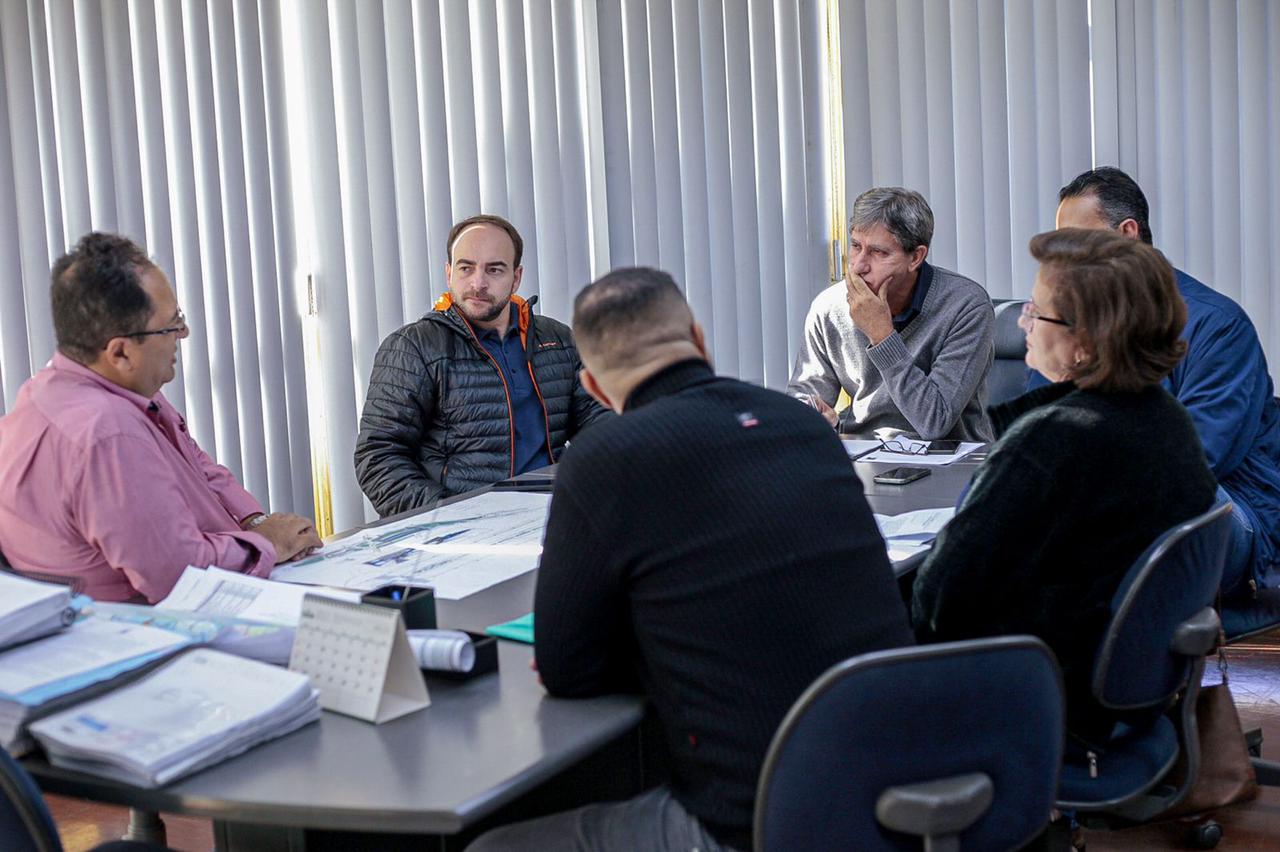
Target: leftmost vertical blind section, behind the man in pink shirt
{"points": [[162, 122]]}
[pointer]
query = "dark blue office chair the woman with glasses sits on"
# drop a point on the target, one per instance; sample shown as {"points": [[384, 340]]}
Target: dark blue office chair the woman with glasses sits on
{"points": [[1150, 663]]}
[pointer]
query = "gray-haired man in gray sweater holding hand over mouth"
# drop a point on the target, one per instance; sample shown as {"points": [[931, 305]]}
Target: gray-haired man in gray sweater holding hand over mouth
{"points": [[911, 343]]}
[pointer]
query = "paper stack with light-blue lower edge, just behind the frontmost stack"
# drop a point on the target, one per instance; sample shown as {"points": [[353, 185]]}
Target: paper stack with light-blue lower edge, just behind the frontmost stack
{"points": [[45, 676]]}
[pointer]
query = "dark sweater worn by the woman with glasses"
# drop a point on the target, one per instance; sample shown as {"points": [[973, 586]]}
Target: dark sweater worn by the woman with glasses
{"points": [[1078, 485]]}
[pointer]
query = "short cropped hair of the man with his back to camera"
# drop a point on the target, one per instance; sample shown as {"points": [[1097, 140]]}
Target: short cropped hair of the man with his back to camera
{"points": [[627, 313]]}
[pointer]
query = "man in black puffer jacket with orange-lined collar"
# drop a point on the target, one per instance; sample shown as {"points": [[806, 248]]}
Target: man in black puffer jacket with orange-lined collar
{"points": [[477, 391]]}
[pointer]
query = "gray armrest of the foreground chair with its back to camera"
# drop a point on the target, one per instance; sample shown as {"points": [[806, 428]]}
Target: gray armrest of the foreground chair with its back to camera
{"points": [[944, 807]]}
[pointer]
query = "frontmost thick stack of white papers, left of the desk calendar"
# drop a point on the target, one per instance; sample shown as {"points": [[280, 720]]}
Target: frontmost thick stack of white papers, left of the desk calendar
{"points": [[191, 713]]}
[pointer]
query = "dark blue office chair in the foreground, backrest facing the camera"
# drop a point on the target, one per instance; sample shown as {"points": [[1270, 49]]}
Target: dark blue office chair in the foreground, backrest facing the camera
{"points": [[953, 744]]}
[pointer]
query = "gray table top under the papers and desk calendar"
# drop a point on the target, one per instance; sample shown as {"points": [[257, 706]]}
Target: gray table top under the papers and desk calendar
{"points": [[479, 746]]}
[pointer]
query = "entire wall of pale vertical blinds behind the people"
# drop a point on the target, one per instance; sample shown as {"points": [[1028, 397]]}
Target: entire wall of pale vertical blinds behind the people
{"points": [[296, 167]]}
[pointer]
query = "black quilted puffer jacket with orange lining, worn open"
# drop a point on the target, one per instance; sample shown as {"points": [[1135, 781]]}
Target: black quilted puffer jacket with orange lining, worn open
{"points": [[437, 418]]}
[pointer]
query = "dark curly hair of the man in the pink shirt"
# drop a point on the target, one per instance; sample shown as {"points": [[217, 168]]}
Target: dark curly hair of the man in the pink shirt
{"points": [[98, 295]]}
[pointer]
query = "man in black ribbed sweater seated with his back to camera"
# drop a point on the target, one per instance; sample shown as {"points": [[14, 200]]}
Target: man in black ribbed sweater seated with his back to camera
{"points": [[711, 548]]}
